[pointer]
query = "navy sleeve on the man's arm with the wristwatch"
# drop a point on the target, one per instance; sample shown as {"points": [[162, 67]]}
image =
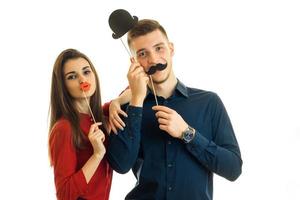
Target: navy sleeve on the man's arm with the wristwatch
{"points": [[221, 154]]}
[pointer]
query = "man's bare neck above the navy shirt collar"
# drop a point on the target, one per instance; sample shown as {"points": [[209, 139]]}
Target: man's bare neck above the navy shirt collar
{"points": [[166, 88]]}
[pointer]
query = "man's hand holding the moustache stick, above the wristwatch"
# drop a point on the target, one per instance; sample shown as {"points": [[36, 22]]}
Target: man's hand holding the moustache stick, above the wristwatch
{"points": [[170, 121]]}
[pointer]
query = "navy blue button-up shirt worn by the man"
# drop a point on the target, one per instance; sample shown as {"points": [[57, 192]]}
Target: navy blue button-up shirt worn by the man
{"points": [[166, 167]]}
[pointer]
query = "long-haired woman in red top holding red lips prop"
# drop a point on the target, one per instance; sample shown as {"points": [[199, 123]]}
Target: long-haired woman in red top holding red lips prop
{"points": [[77, 142]]}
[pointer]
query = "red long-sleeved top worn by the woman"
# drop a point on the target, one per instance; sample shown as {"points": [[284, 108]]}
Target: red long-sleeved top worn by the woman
{"points": [[67, 163]]}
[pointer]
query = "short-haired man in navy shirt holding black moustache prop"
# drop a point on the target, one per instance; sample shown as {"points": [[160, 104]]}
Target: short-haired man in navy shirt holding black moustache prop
{"points": [[184, 140]]}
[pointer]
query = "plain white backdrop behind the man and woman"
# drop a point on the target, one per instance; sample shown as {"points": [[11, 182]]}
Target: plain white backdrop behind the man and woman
{"points": [[246, 51]]}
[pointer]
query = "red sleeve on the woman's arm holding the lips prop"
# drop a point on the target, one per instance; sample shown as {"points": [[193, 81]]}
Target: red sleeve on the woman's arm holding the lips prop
{"points": [[70, 183]]}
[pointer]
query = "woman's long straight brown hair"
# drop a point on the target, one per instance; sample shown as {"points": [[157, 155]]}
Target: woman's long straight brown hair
{"points": [[62, 103]]}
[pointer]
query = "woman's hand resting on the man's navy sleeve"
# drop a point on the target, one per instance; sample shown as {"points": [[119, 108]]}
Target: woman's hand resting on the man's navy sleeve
{"points": [[114, 116]]}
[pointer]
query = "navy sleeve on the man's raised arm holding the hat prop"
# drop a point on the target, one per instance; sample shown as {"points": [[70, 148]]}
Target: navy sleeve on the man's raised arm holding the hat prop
{"points": [[123, 147]]}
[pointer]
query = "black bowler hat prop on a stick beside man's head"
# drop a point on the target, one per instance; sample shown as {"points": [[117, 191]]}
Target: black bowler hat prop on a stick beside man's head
{"points": [[120, 22]]}
